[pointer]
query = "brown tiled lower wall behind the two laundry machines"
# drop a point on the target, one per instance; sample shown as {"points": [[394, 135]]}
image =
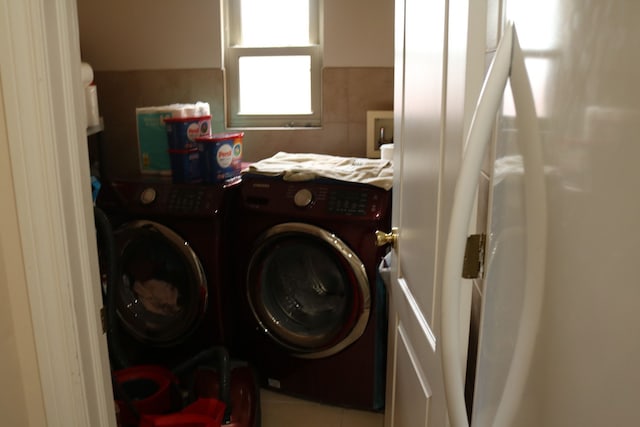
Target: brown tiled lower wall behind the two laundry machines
{"points": [[347, 95]]}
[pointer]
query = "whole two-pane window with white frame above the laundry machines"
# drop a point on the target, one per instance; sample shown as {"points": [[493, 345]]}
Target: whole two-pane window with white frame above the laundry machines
{"points": [[273, 61]]}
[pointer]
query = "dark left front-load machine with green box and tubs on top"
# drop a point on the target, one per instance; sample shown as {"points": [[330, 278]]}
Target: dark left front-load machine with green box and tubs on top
{"points": [[171, 301]]}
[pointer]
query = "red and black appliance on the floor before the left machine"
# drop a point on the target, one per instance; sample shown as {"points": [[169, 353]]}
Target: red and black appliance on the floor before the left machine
{"points": [[206, 391]]}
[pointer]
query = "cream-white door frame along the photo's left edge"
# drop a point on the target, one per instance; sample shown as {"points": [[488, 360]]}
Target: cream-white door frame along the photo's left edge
{"points": [[44, 108]]}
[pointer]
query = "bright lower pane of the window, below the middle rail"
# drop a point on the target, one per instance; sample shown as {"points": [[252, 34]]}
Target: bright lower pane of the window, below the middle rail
{"points": [[275, 85]]}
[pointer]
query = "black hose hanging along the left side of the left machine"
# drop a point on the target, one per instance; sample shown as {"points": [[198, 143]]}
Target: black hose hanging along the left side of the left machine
{"points": [[111, 261]]}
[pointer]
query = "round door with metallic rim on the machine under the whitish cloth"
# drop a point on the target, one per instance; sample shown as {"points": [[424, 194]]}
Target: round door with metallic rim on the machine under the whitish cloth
{"points": [[308, 290]]}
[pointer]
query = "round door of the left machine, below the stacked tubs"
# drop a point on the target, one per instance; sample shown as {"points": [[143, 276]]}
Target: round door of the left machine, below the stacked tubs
{"points": [[162, 295]]}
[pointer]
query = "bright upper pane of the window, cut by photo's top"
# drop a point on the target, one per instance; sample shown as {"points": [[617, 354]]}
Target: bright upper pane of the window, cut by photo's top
{"points": [[275, 23]]}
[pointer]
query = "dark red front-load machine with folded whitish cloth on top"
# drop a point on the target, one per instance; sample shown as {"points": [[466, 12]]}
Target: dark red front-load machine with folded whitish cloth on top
{"points": [[311, 309]]}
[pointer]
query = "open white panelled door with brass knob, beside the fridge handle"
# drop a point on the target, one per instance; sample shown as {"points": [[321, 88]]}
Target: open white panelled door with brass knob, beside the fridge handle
{"points": [[437, 69]]}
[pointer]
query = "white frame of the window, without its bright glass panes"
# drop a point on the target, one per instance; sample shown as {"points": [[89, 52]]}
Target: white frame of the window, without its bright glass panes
{"points": [[233, 51]]}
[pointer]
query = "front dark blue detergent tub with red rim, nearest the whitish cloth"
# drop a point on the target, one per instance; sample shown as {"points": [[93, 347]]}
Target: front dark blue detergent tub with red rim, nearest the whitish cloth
{"points": [[220, 156]]}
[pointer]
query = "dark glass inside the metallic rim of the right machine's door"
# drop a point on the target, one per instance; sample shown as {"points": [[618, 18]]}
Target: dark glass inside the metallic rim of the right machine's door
{"points": [[303, 292]]}
